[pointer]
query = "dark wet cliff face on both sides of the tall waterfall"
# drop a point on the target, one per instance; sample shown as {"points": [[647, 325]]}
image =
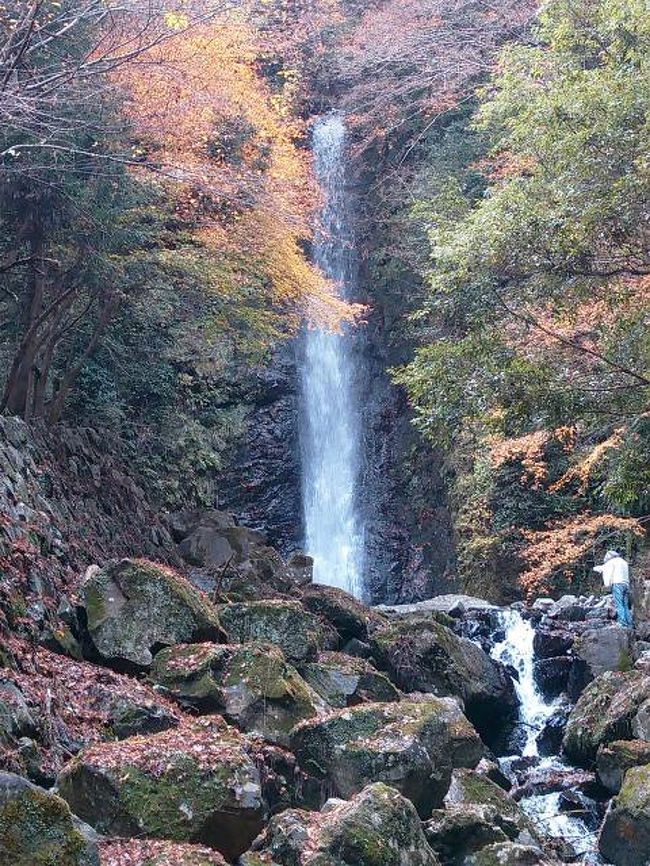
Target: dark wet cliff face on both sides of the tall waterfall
{"points": [[401, 495]]}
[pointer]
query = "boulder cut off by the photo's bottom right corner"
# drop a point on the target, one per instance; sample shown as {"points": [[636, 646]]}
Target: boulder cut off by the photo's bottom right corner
{"points": [[625, 835]]}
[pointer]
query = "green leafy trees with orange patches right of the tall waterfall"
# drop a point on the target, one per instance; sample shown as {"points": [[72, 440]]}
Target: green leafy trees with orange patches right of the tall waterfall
{"points": [[535, 206]]}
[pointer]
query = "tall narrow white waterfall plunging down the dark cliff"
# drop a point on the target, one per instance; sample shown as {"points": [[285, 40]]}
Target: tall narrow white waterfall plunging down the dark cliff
{"points": [[331, 428]]}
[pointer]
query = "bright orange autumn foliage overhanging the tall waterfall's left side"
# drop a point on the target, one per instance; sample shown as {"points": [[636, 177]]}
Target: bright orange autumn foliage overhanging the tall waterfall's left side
{"points": [[229, 152]]}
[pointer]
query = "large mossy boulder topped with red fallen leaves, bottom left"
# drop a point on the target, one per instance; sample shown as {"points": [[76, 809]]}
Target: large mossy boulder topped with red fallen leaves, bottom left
{"points": [[198, 783]]}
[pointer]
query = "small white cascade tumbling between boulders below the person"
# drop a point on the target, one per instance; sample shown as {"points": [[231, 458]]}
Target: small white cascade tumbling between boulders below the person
{"points": [[516, 650]]}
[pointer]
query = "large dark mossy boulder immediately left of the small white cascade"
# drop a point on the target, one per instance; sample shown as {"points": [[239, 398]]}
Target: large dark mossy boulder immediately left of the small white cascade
{"points": [[423, 655]]}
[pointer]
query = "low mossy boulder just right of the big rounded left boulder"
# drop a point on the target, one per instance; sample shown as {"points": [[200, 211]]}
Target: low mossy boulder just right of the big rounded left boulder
{"points": [[298, 633]]}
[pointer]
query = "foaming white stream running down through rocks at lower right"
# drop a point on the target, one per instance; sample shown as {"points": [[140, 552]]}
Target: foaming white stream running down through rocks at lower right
{"points": [[554, 813]]}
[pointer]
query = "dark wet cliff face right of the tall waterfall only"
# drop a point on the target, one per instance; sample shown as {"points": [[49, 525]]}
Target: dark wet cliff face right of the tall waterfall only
{"points": [[409, 538]]}
